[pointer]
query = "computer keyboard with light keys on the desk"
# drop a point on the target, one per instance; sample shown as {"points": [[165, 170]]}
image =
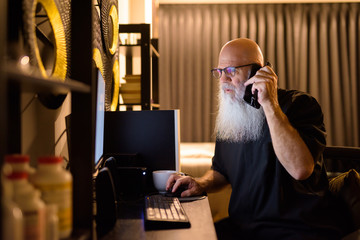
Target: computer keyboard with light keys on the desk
{"points": [[164, 213]]}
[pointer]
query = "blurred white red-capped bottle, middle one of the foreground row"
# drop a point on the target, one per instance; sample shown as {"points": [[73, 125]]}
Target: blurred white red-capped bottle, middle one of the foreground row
{"points": [[32, 207]]}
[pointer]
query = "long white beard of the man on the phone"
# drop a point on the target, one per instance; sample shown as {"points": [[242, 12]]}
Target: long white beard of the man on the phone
{"points": [[236, 120]]}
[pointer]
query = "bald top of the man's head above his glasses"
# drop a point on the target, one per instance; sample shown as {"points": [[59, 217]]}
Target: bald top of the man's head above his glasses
{"points": [[240, 51]]}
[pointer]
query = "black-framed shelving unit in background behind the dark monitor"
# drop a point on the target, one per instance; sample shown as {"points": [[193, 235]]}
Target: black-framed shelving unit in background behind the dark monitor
{"points": [[146, 49]]}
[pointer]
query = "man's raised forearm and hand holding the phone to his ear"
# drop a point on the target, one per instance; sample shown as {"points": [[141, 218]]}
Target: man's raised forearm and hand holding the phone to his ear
{"points": [[289, 147]]}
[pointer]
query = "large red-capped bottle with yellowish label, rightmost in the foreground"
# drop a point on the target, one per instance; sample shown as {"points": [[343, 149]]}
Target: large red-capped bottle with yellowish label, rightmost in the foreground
{"points": [[55, 184]]}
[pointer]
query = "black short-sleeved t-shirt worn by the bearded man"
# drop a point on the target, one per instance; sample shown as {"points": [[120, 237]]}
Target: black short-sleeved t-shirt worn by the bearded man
{"points": [[264, 195]]}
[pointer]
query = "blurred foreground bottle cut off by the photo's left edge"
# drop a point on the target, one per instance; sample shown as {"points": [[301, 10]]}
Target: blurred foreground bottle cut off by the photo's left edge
{"points": [[12, 218]]}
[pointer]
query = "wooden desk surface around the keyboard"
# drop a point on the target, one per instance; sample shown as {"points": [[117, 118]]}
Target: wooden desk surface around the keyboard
{"points": [[130, 225]]}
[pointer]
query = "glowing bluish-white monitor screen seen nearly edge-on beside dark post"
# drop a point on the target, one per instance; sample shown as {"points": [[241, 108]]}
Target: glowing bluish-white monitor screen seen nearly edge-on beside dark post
{"points": [[100, 114]]}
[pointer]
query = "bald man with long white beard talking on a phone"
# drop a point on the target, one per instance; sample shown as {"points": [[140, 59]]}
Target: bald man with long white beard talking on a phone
{"points": [[271, 156]]}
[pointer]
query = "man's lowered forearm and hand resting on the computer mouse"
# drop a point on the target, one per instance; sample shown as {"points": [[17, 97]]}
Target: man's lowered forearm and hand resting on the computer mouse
{"points": [[212, 181]]}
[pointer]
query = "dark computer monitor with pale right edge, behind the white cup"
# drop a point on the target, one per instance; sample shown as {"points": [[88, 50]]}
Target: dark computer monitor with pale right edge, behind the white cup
{"points": [[143, 138]]}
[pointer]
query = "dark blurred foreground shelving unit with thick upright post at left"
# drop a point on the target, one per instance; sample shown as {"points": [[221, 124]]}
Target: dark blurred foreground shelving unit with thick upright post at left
{"points": [[14, 81]]}
